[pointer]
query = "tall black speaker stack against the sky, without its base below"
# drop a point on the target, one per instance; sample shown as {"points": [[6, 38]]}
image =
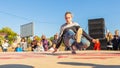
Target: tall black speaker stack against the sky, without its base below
{"points": [[96, 28]]}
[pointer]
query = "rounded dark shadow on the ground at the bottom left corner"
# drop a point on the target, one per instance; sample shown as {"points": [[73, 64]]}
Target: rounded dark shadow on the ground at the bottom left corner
{"points": [[15, 66]]}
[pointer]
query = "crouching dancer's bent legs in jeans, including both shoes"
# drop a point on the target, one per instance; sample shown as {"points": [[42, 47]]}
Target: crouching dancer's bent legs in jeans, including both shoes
{"points": [[71, 41]]}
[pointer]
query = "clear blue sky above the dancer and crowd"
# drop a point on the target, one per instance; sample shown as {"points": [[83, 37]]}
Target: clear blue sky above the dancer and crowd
{"points": [[48, 15]]}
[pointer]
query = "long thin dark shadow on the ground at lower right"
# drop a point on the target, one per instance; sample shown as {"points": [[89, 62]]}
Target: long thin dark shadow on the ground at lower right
{"points": [[89, 64]]}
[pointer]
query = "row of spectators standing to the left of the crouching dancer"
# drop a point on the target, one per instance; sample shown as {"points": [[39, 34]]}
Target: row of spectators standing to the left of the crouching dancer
{"points": [[36, 45]]}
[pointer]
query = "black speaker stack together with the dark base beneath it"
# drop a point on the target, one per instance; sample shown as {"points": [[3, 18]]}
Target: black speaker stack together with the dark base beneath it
{"points": [[96, 29]]}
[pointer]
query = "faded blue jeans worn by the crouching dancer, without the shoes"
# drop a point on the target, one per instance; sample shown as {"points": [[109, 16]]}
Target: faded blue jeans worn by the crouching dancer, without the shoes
{"points": [[69, 39]]}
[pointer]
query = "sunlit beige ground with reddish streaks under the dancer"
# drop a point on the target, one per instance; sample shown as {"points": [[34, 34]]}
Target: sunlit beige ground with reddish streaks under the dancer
{"points": [[61, 59]]}
